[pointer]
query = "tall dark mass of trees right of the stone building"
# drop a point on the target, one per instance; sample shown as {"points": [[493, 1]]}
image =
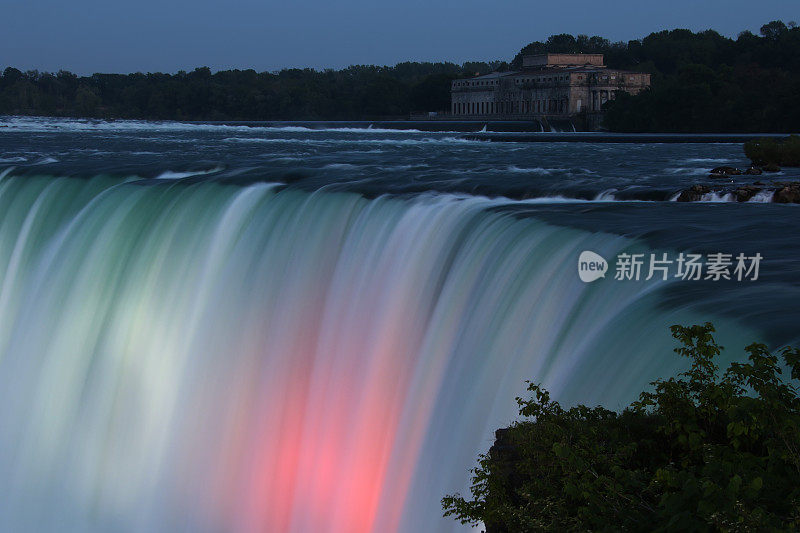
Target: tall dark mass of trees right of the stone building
{"points": [[704, 82]]}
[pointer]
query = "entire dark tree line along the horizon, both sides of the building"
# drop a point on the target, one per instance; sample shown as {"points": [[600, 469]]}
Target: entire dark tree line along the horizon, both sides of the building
{"points": [[701, 81]]}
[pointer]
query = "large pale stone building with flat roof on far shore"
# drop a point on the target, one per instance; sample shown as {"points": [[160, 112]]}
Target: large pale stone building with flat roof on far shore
{"points": [[548, 86]]}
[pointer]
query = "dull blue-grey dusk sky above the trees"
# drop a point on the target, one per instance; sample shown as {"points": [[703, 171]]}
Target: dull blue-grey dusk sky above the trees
{"points": [[87, 36]]}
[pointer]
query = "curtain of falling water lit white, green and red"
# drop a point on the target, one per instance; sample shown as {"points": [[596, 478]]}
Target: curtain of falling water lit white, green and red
{"points": [[204, 356]]}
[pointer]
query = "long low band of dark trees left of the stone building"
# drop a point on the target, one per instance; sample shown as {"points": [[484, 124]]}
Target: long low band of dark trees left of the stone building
{"points": [[356, 92]]}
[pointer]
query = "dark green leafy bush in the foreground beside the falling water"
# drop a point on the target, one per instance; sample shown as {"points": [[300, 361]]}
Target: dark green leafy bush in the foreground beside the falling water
{"points": [[697, 453]]}
